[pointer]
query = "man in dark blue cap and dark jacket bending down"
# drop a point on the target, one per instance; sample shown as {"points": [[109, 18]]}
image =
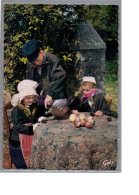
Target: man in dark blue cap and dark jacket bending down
{"points": [[46, 70]]}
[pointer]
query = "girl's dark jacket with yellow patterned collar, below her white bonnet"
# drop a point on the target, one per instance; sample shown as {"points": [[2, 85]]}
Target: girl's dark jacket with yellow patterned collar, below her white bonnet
{"points": [[22, 115]]}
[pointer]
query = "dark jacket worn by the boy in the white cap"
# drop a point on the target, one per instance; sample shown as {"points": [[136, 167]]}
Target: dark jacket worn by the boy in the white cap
{"points": [[93, 104]]}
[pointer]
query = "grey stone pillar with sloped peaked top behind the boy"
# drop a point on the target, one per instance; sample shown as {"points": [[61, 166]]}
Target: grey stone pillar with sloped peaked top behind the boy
{"points": [[90, 53]]}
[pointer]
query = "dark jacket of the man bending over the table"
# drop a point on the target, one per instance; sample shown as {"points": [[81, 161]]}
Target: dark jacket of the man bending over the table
{"points": [[52, 78]]}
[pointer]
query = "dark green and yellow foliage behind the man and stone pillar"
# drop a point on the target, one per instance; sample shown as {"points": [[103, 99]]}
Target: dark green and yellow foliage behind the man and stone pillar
{"points": [[53, 26]]}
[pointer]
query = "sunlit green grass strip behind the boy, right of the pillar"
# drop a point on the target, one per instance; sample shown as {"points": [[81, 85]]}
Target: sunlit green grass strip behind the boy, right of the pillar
{"points": [[112, 92]]}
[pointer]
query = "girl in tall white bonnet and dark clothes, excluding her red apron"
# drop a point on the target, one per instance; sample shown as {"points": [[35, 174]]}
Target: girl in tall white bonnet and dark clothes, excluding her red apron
{"points": [[25, 115]]}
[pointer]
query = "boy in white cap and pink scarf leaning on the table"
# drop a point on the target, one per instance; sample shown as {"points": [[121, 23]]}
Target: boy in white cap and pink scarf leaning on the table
{"points": [[90, 99]]}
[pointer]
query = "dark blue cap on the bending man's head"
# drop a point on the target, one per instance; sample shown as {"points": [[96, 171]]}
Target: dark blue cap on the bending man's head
{"points": [[31, 50]]}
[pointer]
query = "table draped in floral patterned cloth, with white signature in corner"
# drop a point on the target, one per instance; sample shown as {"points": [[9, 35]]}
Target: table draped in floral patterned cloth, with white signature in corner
{"points": [[58, 145]]}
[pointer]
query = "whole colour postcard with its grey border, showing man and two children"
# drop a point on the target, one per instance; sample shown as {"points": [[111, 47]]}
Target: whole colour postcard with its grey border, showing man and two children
{"points": [[60, 75]]}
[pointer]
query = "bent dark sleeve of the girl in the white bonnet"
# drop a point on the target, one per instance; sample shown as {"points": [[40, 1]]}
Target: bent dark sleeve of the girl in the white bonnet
{"points": [[19, 124]]}
